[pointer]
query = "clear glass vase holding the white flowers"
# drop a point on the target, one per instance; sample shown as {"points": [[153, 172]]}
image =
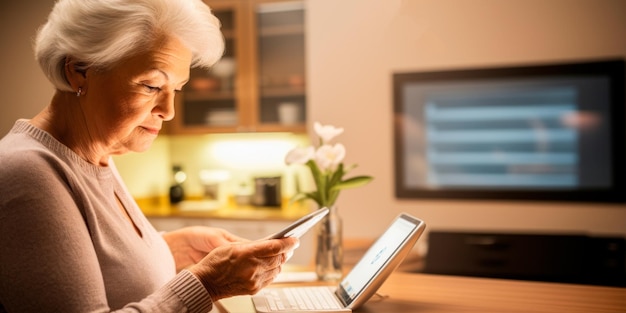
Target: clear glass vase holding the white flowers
{"points": [[329, 252]]}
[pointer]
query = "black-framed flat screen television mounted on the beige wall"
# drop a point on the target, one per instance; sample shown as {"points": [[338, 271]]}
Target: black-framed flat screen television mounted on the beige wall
{"points": [[535, 132]]}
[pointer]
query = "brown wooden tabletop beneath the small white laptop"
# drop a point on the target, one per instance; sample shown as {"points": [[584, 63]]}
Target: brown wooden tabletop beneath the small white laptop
{"points": [[410, 292]]}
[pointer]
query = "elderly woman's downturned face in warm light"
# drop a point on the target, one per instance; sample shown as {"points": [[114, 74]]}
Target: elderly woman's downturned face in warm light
{"points": [[125, 105]]}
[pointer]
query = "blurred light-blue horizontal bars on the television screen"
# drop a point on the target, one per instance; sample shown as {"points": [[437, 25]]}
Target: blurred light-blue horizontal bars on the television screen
{"points": [[501, 138]]}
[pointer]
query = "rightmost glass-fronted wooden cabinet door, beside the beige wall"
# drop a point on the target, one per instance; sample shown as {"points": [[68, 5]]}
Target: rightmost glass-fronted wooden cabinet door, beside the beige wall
{"points": [[279, 61]]}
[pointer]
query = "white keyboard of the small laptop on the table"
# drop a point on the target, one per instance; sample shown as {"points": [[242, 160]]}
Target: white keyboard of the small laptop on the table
{"points": [[300, 299]]}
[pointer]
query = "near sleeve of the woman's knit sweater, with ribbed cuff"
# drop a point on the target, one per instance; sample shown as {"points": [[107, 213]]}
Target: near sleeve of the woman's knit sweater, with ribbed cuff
{"points": [[47, 259]]}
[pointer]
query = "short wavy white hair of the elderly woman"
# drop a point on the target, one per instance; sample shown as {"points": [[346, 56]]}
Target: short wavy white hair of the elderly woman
{"points": [[100, 33]]}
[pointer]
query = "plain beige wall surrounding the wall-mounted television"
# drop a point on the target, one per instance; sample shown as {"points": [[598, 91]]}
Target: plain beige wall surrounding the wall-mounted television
{"points": [[354, 47]]}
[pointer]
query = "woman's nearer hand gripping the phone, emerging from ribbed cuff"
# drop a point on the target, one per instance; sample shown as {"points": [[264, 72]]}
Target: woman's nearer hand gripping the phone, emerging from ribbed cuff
{"points": [[243, 268]]}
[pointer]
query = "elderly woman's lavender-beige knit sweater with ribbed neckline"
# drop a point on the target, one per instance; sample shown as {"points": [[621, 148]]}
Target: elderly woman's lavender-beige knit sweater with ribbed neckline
{"points": [[66, 247]]}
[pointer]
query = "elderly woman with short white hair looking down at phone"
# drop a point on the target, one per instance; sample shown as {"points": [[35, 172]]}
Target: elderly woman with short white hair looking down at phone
{"points": [[72, 239]]}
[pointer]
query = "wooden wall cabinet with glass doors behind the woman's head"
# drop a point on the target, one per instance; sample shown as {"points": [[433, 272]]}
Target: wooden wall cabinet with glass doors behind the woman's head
{"points": [[259, 84]]}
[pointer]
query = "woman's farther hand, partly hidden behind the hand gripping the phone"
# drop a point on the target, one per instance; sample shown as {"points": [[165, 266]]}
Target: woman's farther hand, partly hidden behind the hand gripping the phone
{"points": [[189, 245]]}
